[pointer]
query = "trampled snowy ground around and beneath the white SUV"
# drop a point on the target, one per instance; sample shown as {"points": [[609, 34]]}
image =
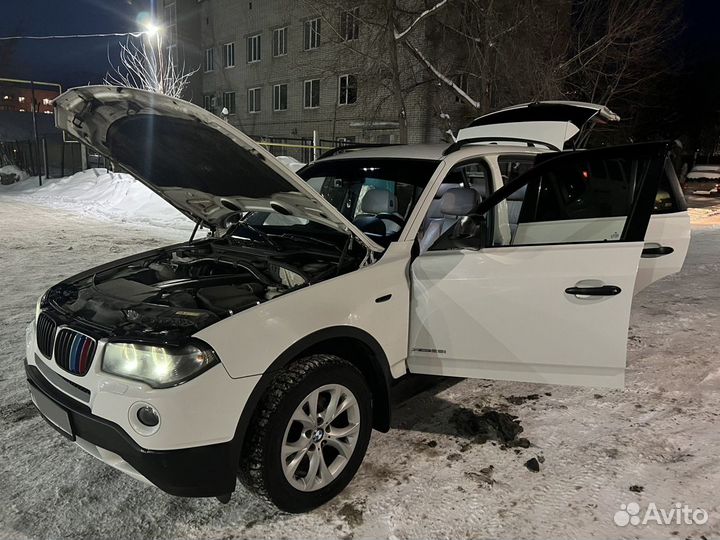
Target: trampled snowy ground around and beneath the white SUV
{"points": [[426, 477]]}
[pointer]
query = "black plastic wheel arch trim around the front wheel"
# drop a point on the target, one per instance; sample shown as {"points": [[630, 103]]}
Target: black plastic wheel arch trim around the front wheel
{"points": [[348, 342]]}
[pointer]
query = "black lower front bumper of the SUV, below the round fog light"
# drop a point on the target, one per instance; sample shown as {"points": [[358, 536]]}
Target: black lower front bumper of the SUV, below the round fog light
{"points": [[202, 471]]}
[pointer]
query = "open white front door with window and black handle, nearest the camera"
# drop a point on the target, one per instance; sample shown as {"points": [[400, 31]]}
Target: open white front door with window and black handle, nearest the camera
{"points": [[552, 303]]}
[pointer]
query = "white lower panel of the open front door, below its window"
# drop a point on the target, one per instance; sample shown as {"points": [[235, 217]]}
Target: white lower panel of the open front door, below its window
{"points": [[474, 314]]}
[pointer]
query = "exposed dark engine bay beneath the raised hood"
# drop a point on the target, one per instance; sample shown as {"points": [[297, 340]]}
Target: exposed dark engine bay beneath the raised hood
{"points": [[174, 292]]}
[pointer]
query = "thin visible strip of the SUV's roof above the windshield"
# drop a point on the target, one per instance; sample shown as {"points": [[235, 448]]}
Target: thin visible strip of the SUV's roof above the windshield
{"points": [[430, 151]]}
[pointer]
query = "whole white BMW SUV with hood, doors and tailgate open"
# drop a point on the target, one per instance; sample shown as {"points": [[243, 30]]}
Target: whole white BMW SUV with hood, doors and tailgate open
{"points": [[266, 351]]}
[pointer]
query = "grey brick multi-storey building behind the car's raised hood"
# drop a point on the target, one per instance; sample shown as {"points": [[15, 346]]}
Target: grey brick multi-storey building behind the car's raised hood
{"points": [[287, 68]]}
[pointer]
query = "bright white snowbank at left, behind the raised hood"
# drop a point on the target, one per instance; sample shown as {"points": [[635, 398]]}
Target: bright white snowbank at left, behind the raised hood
{"points": [[102, 194]]}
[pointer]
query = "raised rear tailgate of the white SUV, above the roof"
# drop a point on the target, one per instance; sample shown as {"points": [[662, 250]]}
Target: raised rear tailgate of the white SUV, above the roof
{"points": [[552, 123]]}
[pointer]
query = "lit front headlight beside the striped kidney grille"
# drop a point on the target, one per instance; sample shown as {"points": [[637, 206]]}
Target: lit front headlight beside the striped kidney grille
{"points": [[160, 367]]}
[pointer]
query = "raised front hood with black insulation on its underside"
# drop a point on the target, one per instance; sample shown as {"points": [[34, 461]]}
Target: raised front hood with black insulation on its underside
{"points": [[196, 161]]}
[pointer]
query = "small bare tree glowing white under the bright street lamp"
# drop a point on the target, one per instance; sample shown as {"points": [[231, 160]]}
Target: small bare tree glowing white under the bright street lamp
{"points": [[146, 64]]}
